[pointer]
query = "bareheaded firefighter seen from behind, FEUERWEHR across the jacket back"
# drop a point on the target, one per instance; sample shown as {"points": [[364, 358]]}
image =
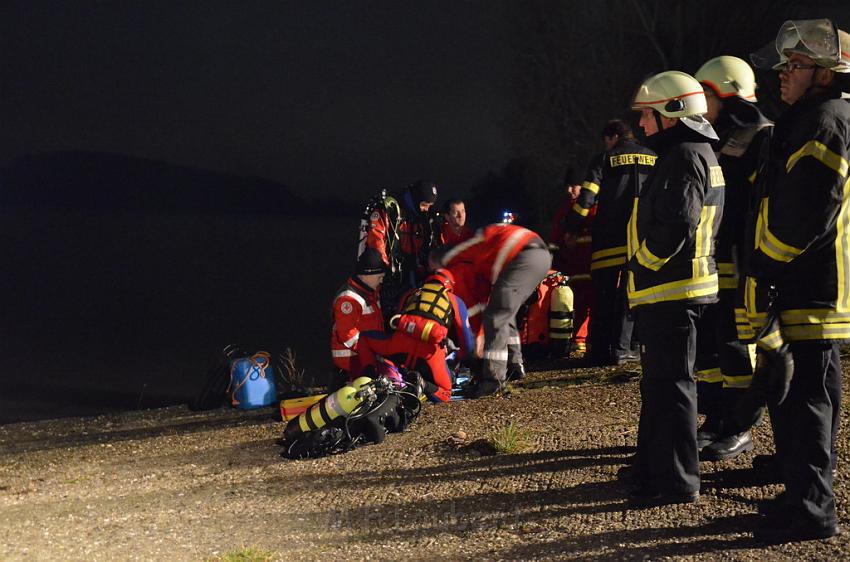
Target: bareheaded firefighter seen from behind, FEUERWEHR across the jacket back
{"points": [[611, 183]]}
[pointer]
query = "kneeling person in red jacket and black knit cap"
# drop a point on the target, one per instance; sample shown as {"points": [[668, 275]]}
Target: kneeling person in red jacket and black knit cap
{"points": [[356, 308]]}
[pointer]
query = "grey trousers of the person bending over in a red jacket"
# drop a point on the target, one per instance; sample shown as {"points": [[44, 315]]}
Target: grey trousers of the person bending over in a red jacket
{"points": [[513, 286]]}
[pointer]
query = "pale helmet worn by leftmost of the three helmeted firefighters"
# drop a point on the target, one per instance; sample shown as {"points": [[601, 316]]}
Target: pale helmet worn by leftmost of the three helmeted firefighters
{"points": [[672, 94]]}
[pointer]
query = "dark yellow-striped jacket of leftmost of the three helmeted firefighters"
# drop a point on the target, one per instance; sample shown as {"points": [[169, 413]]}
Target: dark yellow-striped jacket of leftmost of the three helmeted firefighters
{"points": [[674, 223]]}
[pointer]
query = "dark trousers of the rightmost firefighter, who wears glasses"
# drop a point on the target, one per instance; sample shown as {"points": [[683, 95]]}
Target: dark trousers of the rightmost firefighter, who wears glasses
{"points": [[804, 428]]}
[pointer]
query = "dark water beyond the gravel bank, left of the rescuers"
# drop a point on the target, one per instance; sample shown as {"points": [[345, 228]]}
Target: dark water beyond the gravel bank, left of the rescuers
{"points": [[105, 311]]}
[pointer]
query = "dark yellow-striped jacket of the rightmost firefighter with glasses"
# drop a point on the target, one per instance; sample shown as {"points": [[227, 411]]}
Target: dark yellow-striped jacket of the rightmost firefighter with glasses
{"points": [[802, 230]]}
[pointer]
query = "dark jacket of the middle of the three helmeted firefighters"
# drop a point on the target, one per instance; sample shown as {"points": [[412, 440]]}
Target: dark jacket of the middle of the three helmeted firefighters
{"points": [[741, 142]]}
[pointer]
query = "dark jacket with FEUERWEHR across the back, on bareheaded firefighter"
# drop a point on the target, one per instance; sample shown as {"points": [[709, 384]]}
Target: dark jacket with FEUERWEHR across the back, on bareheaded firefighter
{"points": [[612, 181]]}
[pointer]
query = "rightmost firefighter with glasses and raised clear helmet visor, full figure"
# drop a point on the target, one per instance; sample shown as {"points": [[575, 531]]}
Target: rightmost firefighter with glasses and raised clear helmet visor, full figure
{"points": [[802, 248]]}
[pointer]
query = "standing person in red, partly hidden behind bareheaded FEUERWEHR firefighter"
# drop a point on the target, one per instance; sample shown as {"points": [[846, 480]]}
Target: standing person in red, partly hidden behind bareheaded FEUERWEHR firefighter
{"points": [[573, 258]]}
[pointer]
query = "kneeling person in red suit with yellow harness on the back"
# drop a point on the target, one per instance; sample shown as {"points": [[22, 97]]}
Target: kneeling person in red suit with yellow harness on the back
{"points": [[429, 315]]}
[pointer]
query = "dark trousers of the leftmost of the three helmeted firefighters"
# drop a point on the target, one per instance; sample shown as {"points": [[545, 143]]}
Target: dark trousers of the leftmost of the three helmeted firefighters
{"points": [[667, 457]]}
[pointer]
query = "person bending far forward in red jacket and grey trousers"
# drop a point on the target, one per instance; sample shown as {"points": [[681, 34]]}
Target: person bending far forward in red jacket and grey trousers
{"points": [[501, 265]]}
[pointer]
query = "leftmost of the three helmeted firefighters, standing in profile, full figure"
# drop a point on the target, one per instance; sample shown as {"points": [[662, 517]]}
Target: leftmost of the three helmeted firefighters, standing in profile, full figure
{"points": [[671, 278]]}
